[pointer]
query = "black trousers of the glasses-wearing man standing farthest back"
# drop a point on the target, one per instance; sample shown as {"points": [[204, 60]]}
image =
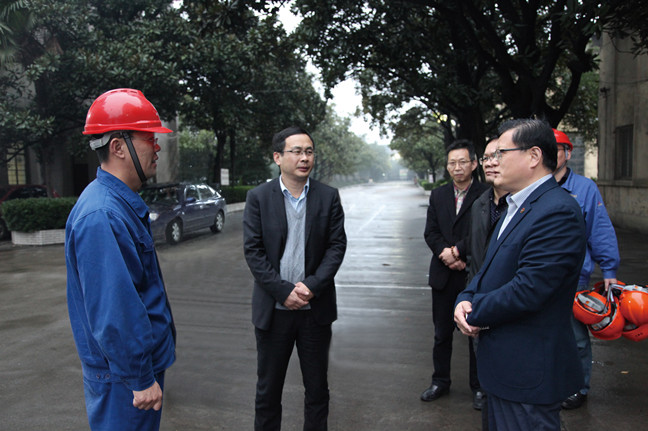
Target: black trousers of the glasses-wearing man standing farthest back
{"points": [[443, 317]]}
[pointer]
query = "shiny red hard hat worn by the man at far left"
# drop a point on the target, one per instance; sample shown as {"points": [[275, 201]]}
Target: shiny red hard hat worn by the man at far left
{"points": [[122, 109]]}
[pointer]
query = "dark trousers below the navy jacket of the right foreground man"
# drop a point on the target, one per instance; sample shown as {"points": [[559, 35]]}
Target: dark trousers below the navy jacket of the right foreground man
{"points": [[504, 415]]}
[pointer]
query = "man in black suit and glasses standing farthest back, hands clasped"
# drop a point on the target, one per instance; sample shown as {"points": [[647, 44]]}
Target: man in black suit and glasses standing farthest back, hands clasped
{"points": [[446, 228]]}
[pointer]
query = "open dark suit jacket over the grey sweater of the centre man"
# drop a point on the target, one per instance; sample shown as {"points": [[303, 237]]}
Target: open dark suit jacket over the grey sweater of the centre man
{"points": [[265, 230]]}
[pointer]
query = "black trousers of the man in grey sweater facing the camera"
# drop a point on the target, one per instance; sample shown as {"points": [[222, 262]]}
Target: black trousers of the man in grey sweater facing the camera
{"points": [[274, 347]]}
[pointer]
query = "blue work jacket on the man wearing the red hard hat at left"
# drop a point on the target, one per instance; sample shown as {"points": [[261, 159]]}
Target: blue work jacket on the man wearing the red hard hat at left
{"points": [[119, 312]]}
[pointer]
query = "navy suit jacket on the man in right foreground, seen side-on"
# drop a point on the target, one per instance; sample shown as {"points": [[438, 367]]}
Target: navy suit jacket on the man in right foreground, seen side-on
{"points": [[523, 294]]}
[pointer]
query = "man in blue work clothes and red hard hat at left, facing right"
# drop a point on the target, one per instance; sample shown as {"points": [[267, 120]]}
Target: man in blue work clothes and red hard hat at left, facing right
{"points": [[118, 307]]}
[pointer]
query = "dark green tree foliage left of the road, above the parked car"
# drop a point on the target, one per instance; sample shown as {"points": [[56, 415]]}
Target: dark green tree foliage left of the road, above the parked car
{"points": [[220, 65]]}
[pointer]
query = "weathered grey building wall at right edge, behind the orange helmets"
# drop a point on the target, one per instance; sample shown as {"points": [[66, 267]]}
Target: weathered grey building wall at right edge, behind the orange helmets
{"points": [[623, 101]]}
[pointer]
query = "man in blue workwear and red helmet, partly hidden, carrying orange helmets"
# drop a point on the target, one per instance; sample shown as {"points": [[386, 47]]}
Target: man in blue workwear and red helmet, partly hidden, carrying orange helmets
{"points": [[602, 248]]}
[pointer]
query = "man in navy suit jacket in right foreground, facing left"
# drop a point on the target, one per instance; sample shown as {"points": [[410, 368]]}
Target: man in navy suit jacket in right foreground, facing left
{"points": [[520, 302]]}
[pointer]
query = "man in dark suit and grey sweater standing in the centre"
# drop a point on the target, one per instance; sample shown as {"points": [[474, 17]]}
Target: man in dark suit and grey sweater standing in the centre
{"points": [[294, 243]]}
